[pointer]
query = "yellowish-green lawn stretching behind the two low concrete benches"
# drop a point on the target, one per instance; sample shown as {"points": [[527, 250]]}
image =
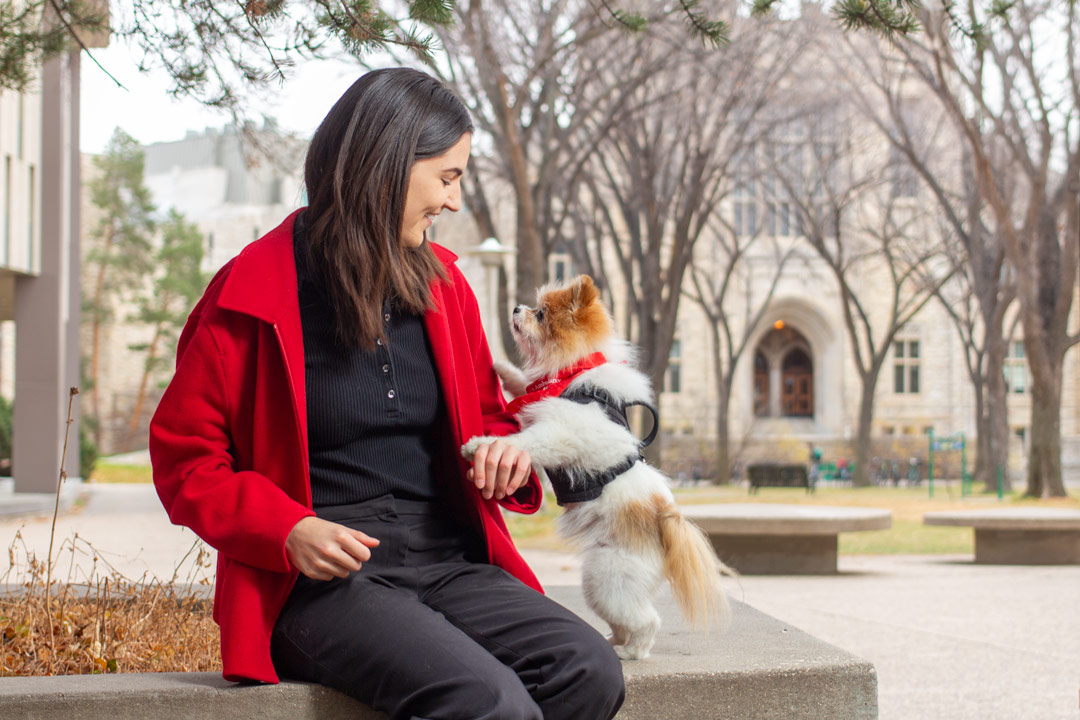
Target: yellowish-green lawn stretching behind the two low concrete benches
{"points": [[908, 535]]}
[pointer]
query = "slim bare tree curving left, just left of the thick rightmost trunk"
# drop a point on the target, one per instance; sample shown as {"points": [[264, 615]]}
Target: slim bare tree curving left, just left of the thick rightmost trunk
{"points": [[983, 290]]}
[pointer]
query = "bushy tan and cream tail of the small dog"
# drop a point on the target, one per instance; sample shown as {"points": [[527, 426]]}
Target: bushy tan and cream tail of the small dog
{"points": [[694, 570]]}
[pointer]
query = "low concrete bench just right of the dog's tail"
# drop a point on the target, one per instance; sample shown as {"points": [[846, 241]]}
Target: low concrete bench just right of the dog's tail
{"points": [[761, 539]]}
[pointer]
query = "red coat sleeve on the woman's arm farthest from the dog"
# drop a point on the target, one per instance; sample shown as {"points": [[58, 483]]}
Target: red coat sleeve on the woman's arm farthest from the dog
{"points": [[242, 514]]}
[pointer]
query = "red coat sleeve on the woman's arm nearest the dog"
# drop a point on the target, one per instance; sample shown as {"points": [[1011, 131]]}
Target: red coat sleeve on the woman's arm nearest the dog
{"points": [[497, 420]]}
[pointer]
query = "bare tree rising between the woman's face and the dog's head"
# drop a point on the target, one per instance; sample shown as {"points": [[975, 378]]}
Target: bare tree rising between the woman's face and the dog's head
{"points": [[529, 74]]}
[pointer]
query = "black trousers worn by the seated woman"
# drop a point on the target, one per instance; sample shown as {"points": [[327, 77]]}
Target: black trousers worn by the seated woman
{"points": [[429, 630]]}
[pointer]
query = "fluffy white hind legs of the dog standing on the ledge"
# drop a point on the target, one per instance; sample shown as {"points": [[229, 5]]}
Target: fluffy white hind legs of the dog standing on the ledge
{"points": [[618, 588]]}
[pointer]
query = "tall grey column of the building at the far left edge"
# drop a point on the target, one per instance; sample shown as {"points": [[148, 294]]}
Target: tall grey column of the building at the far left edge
{"points": [[47, 305]]}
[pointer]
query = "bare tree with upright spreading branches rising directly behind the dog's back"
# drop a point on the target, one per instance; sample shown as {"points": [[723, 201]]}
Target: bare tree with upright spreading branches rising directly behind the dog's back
{"points": [[665, 169]]}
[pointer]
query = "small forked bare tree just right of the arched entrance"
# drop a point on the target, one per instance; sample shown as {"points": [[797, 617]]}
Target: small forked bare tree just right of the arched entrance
{"points": [[858, 216]]}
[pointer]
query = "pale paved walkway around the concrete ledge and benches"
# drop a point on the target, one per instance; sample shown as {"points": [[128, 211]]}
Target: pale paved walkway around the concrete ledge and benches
{"points": [[951, 641]]}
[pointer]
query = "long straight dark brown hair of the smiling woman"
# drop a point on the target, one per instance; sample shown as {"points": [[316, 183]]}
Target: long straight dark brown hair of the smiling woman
{"points": [[357, 175]]}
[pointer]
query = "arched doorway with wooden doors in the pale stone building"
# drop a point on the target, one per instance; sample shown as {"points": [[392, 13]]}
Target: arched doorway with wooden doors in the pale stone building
{"points": [[784, 375]]}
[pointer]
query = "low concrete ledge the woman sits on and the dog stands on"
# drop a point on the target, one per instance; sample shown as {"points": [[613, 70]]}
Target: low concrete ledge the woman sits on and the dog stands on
{"points": [[760, 669]]}
